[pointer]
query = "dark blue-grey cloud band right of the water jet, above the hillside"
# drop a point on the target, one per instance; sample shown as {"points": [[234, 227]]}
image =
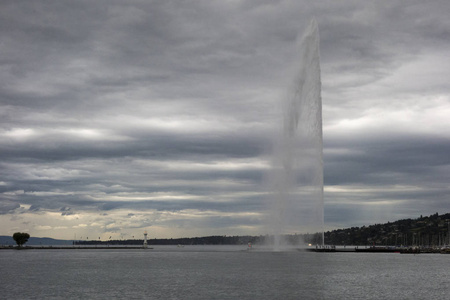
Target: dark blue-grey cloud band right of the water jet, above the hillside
{"points": [[371, 161]]}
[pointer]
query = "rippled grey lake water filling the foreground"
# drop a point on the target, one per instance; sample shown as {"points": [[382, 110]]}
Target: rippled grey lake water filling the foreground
{"points": [[220, 272]]}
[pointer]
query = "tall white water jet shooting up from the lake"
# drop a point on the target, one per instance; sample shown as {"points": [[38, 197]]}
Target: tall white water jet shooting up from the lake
{"points": [[297, 177]]}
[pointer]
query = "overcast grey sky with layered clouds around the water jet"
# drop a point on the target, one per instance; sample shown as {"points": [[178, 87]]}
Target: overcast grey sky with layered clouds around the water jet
{"points": [[119, 117]]}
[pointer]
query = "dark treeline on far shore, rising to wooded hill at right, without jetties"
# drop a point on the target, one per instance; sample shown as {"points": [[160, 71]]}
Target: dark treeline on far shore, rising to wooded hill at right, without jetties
{"points": [[424, 231]]}
